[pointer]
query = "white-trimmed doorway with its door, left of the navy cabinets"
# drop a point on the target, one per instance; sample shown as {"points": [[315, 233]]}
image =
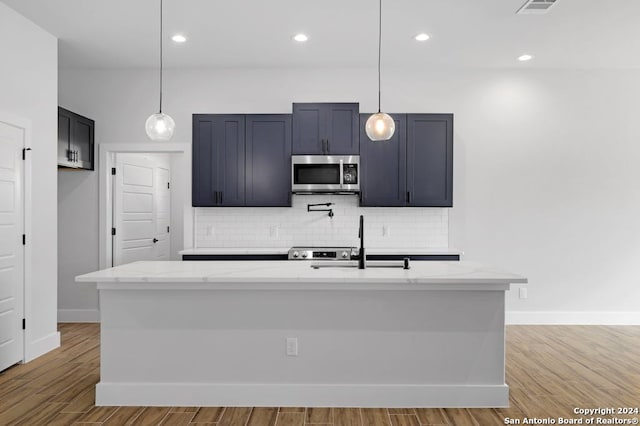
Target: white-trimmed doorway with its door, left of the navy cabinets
{"points": [[139, 206]]}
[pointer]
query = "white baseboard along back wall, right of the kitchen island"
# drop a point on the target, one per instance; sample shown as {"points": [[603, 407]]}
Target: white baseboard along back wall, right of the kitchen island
{"points": [[576, 318]]}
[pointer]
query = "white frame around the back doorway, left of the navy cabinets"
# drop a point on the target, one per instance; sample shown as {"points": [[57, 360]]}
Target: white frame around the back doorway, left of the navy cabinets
{"points": [[106, 153]]}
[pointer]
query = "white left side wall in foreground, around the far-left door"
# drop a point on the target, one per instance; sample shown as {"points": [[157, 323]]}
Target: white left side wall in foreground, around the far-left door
{"points": [[28, 88]]}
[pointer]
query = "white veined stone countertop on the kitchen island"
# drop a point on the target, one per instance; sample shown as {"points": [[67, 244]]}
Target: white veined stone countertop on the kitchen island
{"points": [[287, 275]]}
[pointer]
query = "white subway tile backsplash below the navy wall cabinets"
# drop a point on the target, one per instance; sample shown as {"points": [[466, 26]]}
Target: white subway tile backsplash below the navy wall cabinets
{"points": [[285, 227]]}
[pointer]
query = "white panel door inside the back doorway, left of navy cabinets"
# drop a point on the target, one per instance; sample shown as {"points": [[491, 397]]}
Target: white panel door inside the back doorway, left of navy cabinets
{"points": [[140, 216]]}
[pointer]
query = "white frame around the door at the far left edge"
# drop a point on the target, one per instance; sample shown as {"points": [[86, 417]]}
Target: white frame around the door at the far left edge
{"points": [[25, 124]]}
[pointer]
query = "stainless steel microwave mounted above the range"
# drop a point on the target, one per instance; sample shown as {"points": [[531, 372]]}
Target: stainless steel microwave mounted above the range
{"points": [[325, 173]]}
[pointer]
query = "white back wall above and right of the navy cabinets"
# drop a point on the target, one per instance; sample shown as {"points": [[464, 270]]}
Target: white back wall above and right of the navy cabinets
{"points": [[545, 161]]}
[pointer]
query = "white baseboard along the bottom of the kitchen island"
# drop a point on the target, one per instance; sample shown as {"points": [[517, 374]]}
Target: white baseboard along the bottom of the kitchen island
{"points": [[303, 395]]}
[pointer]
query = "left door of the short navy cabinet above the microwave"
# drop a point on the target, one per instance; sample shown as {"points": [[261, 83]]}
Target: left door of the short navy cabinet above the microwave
{"points": [[309, 129]]}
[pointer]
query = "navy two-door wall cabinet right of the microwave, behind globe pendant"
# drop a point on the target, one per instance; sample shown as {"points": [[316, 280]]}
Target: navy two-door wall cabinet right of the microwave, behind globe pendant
{"points": [[414, 168]]}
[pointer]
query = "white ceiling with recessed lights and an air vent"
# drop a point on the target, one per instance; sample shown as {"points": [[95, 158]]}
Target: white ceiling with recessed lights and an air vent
{"points": [[257, 33]]}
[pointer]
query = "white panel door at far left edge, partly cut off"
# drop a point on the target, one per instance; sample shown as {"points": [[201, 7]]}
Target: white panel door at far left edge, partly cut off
{"points": [[11, 248]]}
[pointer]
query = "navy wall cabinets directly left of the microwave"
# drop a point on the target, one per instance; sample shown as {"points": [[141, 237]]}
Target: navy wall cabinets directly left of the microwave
{"points": [[241, 160]]}
